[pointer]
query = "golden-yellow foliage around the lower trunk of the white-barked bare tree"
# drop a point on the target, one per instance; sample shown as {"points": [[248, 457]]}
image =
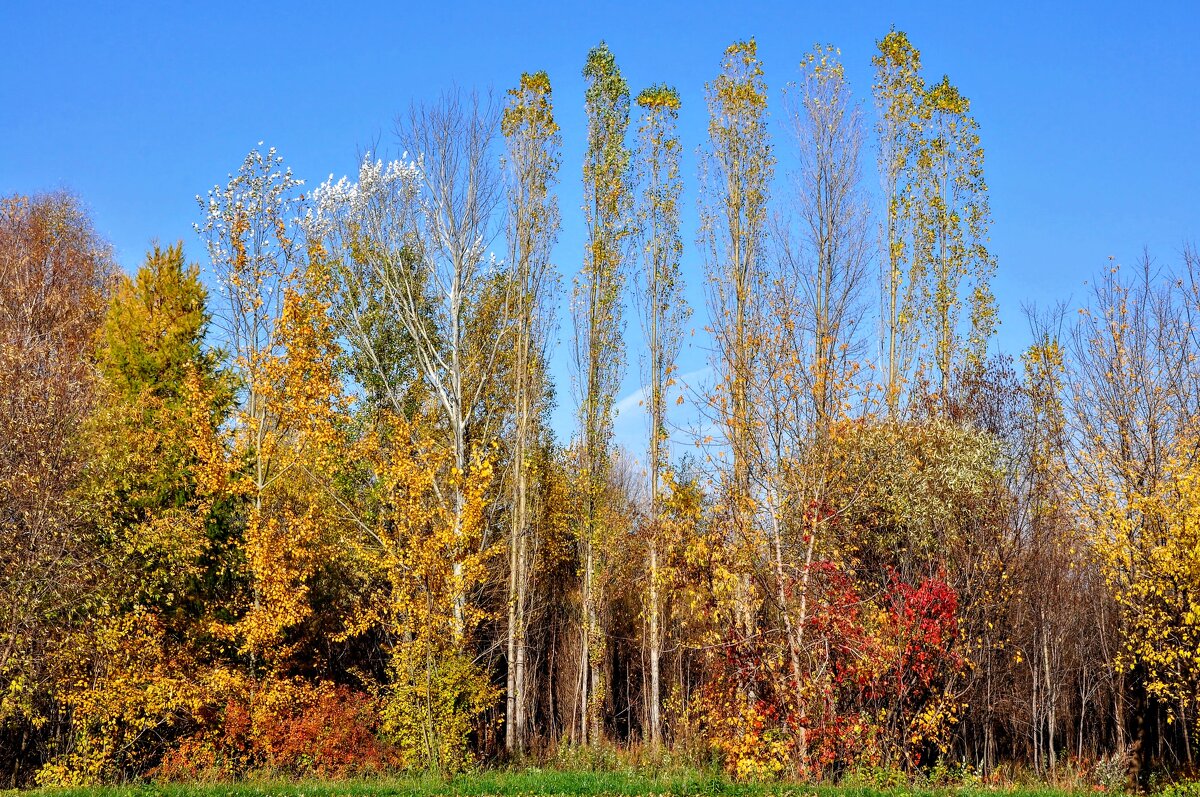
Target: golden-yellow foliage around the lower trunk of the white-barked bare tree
{"points": [[423, 570]]}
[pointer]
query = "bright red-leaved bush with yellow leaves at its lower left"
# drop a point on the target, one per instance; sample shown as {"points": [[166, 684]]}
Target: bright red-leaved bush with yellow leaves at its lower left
{"points": [[878, 666]]}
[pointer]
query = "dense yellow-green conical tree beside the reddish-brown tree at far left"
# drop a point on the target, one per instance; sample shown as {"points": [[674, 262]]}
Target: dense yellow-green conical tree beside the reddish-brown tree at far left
{"points": [[158, 464]]}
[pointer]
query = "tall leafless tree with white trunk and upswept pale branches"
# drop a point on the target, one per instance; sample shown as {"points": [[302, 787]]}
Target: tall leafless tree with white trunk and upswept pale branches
{"points": [[452, 304]]}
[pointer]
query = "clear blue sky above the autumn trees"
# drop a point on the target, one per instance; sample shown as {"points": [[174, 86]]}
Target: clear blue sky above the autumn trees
{"points": [[1089, 112]]}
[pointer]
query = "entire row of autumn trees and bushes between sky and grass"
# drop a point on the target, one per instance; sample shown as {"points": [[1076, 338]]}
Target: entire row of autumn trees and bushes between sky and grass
{"points": [[347, 542]]}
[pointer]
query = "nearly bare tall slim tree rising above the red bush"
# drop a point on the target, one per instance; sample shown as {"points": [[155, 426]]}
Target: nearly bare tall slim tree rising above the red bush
{"points": [[812, 321]]}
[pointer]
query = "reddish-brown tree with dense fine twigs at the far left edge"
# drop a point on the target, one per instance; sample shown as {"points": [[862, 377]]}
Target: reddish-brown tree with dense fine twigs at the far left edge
{"points": [[55, 278]]}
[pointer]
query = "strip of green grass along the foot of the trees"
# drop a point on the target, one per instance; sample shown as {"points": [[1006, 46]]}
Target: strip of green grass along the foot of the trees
{"points": [[536, 783]]}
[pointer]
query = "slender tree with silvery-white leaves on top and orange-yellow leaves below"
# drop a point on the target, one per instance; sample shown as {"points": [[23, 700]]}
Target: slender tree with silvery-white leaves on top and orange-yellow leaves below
{"points": [[280, 339]]}
